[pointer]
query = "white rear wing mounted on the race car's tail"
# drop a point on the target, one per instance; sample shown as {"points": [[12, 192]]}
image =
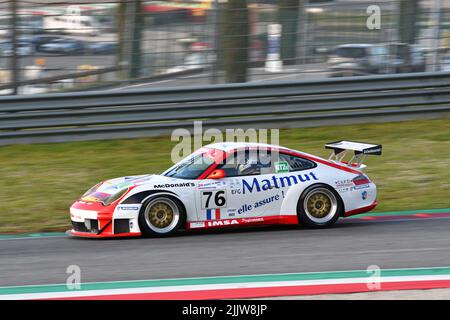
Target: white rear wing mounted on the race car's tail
{"points": [[361, 150]]}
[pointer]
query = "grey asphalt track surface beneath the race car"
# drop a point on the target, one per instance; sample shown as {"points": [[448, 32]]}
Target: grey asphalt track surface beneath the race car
{"points": [[349, 245]]}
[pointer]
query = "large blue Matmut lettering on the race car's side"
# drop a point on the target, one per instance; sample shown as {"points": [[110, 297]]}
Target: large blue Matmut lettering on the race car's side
{"points": [[255, 185]]}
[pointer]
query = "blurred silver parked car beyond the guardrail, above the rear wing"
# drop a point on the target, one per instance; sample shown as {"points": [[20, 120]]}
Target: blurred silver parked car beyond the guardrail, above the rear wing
{"points": [[358, 59]]}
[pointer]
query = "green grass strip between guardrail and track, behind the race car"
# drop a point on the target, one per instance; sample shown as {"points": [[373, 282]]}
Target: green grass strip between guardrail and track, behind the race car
{"points": [[39, 182]]}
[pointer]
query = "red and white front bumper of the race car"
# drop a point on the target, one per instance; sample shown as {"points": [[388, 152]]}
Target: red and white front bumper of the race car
{"points": [[93, 220]]}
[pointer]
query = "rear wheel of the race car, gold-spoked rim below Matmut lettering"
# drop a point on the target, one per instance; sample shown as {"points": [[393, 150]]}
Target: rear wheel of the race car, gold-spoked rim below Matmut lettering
{"points": [[319, 206]]}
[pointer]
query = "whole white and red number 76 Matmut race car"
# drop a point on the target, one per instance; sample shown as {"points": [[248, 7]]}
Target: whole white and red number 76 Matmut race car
{"points": [[231, 184]]}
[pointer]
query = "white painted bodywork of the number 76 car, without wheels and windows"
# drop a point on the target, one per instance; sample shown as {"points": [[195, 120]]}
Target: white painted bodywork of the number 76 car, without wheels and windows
{"points": [[245, 197]]}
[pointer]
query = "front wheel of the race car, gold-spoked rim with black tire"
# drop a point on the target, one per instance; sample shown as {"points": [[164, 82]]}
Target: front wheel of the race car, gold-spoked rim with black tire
{"points": [[161, 215]]}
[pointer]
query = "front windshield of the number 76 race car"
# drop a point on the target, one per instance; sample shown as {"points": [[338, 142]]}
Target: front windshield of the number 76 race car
{"points": [[191, 167]]}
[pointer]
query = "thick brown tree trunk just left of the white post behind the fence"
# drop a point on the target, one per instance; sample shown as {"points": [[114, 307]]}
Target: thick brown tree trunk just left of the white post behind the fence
{"points": [[235, 40]]}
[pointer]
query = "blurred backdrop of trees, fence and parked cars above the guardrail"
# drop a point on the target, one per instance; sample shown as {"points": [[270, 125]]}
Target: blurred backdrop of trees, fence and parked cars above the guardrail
{"points": [[70, 45]]}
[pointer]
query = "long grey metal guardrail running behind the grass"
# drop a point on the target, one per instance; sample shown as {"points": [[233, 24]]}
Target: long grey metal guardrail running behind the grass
{"points": [[138, 113]]}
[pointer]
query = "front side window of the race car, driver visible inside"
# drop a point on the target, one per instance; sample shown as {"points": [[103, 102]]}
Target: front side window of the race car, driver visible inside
{"points": [[247, 163]]}
